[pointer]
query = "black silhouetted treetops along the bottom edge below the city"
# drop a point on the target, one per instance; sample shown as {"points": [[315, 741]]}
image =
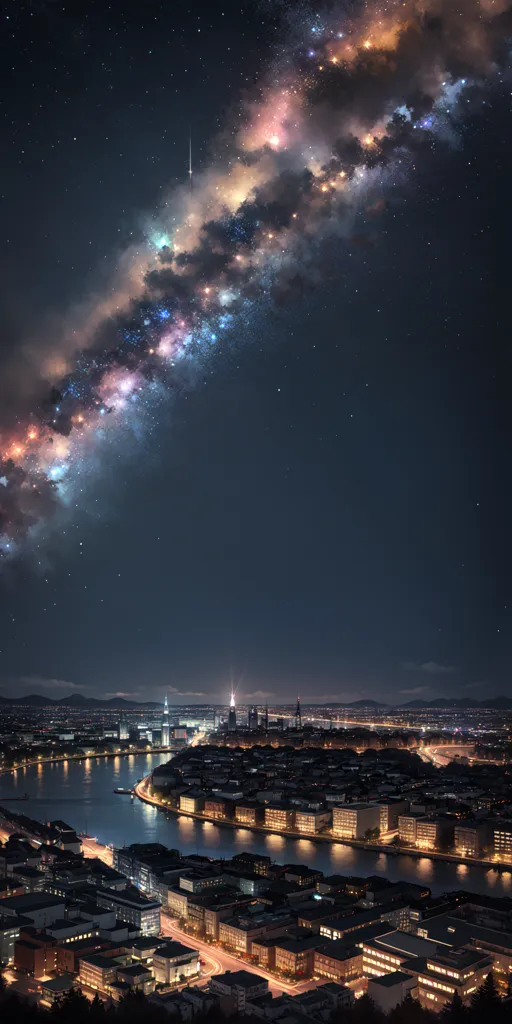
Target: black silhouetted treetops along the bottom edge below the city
{"points": [[75, 1008]]}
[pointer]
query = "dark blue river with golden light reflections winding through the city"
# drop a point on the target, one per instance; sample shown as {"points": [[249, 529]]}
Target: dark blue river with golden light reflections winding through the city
{"points": [[82, 794]]}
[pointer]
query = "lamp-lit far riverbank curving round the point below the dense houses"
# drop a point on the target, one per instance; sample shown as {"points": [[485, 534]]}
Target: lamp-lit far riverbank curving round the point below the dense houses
{"points": [[320, 838]]}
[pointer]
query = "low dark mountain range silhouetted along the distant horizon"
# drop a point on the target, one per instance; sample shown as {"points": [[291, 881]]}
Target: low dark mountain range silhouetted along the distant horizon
{"points": [[78, 701]]}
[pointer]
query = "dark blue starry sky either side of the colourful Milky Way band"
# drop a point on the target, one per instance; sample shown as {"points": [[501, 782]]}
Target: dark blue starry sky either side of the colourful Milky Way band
{"points": [[327, 510]]}
